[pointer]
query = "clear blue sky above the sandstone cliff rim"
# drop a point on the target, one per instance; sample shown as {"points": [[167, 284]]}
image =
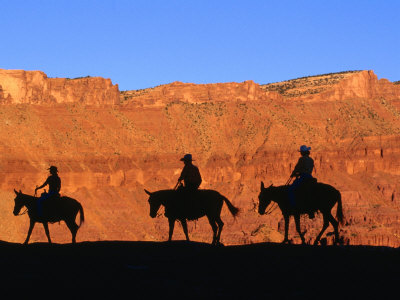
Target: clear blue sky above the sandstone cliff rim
{"points": [[140, 44]]}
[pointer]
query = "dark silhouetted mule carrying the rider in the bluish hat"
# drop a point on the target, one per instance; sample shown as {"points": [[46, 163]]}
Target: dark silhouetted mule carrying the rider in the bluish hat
{"points": [[323, 198]]}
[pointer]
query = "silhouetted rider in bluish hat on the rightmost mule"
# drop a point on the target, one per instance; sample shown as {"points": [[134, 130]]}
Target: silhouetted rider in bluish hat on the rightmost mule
{"points": [[302, 171]]}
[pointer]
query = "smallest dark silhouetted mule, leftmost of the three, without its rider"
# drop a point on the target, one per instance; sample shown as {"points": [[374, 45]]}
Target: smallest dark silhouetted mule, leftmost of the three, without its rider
{"points": [[63, 209]]}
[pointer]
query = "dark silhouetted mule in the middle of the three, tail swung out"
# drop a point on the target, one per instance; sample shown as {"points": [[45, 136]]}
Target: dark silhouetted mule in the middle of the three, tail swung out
{"points": [[209, 204]]}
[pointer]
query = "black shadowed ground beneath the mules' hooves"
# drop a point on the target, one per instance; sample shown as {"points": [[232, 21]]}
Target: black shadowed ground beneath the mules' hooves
{"points": [[150, 270]]}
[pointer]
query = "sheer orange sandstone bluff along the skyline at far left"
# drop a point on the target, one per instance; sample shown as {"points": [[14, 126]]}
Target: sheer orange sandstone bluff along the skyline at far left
{"points": [[34, 87]]}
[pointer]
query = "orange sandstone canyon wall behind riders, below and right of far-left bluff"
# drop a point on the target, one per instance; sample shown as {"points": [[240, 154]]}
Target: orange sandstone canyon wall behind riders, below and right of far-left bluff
{"points": [[239, 135]]}
